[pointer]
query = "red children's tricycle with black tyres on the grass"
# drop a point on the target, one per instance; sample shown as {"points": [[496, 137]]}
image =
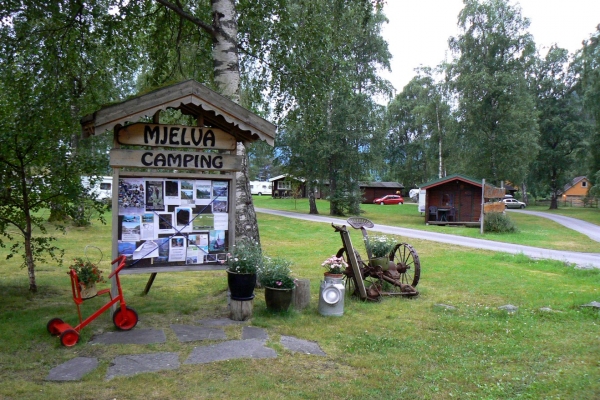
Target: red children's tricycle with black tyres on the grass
{"points": [[124, 318]]}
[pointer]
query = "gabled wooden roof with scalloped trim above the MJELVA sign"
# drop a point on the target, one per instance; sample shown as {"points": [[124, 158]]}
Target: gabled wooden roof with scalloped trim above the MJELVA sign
{"points": [[191, 98]]}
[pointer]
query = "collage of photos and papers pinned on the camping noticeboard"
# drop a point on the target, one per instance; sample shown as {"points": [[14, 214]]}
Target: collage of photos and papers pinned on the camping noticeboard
{"points": [[172, 221]]}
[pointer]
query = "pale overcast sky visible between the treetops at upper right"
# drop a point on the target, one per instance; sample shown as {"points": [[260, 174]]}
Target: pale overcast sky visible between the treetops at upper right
{"points": [[418, 31]]}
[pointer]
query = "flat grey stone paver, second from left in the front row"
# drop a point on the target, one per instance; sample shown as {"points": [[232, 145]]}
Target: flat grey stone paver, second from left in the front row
{"points": [[139, 363]]}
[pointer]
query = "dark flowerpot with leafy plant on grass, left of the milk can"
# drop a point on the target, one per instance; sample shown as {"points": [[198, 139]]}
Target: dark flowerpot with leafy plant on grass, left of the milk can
{"points": [[275, 277]]}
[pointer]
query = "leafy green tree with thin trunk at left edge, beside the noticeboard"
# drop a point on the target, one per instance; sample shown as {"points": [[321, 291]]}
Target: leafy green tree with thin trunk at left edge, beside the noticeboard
{"points": [[54, 64]]}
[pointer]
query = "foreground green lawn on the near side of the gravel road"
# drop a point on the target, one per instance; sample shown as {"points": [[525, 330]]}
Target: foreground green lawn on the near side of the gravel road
{"points": [[396, 348]]}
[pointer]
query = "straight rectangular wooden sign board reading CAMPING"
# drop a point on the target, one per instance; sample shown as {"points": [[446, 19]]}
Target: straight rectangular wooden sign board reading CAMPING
{"points": [[188, 160]]}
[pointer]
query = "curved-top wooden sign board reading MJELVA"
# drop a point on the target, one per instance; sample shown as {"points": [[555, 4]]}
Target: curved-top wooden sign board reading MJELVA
{"points": [[142, 134]]}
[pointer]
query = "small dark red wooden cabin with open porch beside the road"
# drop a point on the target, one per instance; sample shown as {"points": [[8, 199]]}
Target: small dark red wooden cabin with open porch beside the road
{"points": [[454, 199]]}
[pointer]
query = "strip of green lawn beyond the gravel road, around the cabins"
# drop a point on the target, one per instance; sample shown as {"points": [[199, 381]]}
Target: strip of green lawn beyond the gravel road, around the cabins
{"points": [[533, 231]]}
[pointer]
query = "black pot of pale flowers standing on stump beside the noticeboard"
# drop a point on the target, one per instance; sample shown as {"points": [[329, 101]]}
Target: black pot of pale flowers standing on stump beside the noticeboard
{"points": [[242, 265]]}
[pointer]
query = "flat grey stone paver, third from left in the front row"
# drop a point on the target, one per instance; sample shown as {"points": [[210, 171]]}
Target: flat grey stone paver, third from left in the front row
{"points": [[251, 348]]}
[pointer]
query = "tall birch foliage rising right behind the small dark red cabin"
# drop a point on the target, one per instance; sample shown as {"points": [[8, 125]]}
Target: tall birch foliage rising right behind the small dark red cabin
{"points": [[498, 136]]}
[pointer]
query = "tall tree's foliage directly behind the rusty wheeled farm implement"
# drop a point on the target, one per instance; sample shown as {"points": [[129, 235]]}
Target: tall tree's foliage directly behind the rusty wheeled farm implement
{"points": [[321, 68]]}
